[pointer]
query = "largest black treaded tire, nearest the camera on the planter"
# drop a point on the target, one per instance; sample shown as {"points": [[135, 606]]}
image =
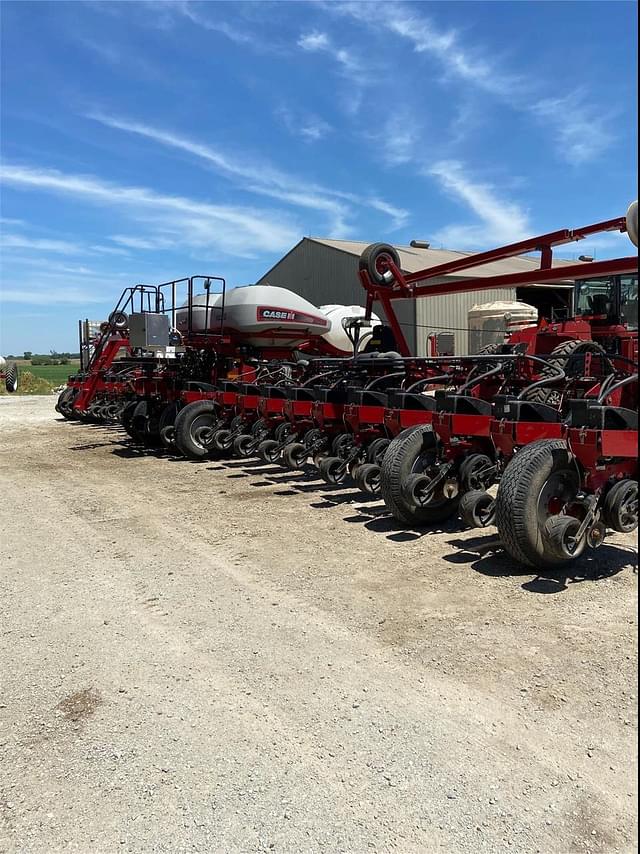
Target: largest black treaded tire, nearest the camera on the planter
{"points": [[522, 503]]}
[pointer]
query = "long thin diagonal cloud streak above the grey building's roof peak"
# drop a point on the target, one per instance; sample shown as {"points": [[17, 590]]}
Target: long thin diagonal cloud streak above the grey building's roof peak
{"points": [[262, 178]]}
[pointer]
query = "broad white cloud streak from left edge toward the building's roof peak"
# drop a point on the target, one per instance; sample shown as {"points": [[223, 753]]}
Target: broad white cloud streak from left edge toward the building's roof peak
{"points": [[190, 223]]}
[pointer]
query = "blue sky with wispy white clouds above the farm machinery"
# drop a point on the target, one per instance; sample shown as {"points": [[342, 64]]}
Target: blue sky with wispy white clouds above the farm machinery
{"points": [[143, 141]]}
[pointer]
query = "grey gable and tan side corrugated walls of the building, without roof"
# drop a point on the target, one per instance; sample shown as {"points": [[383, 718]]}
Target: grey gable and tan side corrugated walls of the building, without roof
{"points": [[324, 275]]}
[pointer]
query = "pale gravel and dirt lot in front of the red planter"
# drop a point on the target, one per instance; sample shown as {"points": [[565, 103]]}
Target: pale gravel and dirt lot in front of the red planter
{"points": [[226, 657]]}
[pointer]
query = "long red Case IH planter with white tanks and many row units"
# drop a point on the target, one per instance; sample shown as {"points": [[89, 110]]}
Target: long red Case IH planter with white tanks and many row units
{"points": [[550, 416]]}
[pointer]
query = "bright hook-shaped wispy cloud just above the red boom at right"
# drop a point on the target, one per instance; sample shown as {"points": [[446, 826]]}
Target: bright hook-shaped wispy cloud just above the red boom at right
{"points": [[501, 221]]}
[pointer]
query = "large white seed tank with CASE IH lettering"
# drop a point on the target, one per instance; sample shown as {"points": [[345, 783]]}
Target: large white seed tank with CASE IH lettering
{"points": [[260, 315]]}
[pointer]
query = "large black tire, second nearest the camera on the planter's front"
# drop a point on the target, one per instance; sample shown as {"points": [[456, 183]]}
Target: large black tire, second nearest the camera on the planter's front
{"points": [[398, 465]]}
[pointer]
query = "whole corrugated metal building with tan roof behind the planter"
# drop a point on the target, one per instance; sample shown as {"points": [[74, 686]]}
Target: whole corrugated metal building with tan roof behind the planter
{"points": [[326, 272]]}
